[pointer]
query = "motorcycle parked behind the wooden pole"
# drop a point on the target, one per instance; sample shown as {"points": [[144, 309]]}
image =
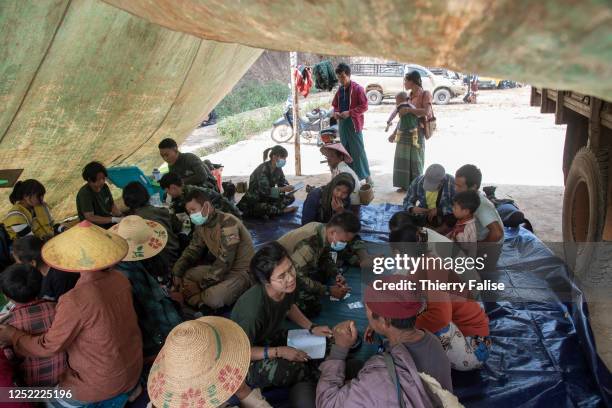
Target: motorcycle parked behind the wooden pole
{"points": [[310, 126]]}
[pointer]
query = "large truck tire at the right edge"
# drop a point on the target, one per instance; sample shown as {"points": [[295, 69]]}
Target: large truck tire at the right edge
{"points": [[584, 198]]}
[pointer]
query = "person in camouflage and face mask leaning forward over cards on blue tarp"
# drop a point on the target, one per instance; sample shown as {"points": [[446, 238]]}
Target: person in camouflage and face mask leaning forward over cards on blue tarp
{"points": [[313, 249]]}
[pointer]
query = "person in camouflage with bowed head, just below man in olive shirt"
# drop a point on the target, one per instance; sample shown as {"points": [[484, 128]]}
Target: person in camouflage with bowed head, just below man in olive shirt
{"points": [[174, 187]]}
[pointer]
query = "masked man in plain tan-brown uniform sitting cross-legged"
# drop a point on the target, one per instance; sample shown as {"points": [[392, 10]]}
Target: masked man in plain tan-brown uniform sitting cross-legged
{"points": [[229, 249]]}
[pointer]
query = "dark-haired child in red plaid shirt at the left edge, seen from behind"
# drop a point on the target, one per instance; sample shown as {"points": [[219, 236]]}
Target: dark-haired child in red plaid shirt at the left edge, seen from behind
{"points": [[21, 284]]}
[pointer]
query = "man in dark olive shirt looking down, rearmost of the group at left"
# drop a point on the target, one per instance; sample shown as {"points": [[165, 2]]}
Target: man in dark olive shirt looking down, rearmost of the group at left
{"points": [[188, 166]]}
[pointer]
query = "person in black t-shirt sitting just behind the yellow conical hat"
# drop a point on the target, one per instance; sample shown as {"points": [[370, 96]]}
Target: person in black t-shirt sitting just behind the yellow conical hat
{"points": [[94, 200]]}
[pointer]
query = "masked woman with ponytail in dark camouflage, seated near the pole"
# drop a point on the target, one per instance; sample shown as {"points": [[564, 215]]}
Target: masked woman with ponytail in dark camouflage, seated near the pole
{"points": [[267, 193]]}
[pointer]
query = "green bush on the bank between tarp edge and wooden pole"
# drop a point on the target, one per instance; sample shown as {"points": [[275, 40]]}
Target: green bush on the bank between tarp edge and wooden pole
{"points": [[252, 95]]}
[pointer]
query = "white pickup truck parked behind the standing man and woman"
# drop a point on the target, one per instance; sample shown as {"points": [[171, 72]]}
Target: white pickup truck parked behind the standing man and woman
{"points": [[382, 81]]}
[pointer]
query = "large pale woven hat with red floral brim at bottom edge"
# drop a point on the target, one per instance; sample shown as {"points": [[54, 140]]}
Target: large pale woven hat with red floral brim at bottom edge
{"points": [[202, 363]]}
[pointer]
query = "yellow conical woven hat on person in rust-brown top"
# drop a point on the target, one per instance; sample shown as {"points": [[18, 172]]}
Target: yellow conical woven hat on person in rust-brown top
{"points": [[84, 248]]}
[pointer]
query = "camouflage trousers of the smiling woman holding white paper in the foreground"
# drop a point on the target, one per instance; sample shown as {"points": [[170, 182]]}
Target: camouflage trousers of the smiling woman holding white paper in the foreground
{"points": [[279, 372]]}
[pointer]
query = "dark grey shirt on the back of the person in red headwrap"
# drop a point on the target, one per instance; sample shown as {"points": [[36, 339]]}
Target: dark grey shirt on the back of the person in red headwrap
{"points": [[430, 358]]}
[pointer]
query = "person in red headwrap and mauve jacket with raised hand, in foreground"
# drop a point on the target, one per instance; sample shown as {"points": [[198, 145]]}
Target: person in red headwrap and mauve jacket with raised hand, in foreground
{"points": [[391, 378]]}
